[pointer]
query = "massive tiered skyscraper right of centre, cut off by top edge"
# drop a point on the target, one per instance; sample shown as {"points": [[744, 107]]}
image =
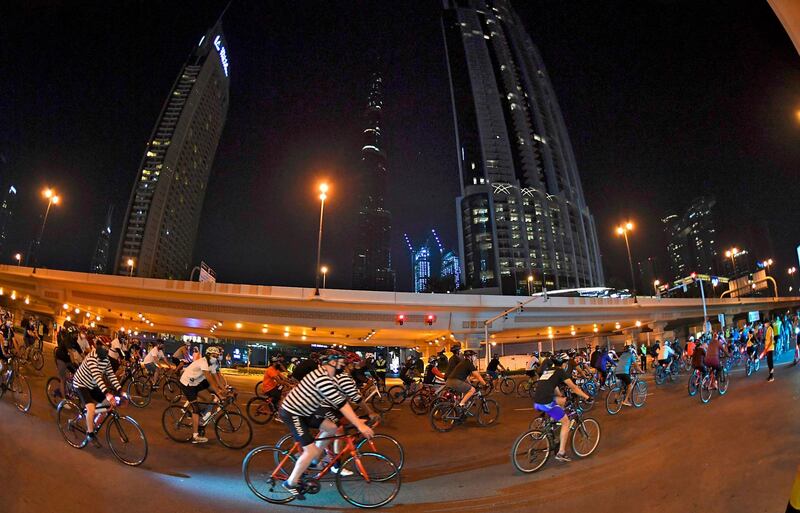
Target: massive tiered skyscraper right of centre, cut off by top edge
{"points": [[521, 210]]}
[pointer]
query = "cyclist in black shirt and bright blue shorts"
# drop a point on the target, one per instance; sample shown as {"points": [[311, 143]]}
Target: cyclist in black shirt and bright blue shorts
{"points": [[549, 399]]}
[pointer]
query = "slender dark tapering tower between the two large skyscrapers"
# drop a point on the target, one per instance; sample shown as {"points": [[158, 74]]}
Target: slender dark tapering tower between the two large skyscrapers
{"points": [[372, 260]]}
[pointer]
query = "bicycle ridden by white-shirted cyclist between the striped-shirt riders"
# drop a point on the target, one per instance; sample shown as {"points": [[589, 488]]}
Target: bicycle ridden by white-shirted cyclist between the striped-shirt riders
{"points": [[232, 429]]}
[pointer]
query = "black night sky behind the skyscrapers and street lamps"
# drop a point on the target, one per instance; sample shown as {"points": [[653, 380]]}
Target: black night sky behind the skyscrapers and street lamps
{"points": [[663, 101]]}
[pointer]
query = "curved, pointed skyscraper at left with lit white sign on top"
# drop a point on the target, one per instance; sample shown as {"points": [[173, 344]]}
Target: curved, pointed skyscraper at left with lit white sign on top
{"points": [[163, 214]]}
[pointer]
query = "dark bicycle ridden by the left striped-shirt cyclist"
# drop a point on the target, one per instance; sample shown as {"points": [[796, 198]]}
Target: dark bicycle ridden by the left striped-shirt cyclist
{"points": [[124, 437]]}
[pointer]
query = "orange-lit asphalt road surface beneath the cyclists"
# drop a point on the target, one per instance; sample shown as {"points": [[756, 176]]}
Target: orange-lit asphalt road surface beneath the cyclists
{"points": [[739, 453]]}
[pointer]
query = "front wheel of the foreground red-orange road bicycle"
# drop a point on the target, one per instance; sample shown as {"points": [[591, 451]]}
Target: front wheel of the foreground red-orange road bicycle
{"points": [[374, 482]]}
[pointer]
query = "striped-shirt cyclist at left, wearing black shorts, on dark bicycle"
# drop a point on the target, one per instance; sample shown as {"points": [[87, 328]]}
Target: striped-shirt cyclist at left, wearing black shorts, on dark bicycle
{"points": [[91, 382]]}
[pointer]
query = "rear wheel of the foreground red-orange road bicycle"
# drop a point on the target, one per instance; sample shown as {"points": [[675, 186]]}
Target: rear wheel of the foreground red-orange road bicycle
{"points": [[264, 470]]}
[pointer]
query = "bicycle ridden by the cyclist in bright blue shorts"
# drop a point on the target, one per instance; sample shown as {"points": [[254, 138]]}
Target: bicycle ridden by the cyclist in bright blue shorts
{"points": [[532, 449]]}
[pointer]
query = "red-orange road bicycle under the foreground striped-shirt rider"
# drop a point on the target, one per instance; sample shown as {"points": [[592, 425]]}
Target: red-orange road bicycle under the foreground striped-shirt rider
{"points": [[373, 473]]}
